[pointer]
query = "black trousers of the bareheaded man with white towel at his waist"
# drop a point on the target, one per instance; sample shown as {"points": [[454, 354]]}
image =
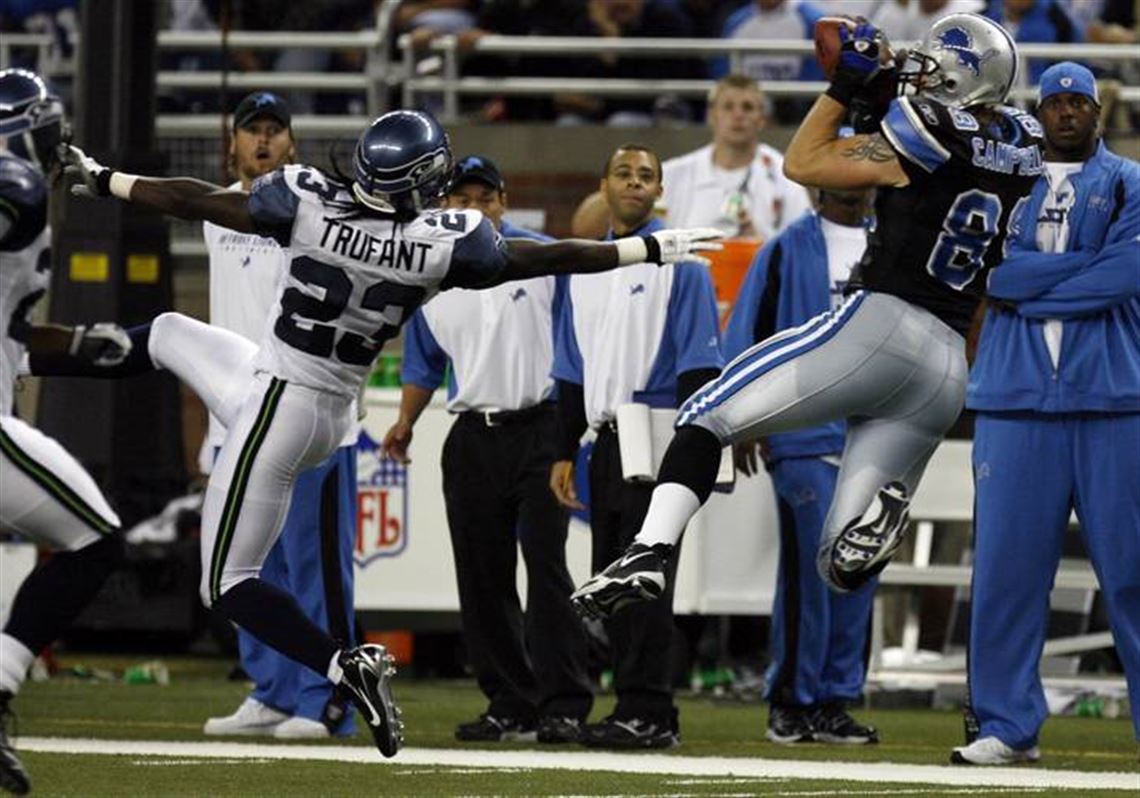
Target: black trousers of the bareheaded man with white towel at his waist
{"points": [[641, 636]]}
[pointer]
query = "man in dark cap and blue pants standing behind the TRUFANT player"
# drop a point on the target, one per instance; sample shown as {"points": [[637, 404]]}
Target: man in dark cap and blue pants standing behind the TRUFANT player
{"points": [[288, 699]]}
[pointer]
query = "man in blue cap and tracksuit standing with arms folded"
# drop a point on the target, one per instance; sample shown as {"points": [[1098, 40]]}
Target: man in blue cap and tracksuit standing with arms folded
{"points": [[1057, 389]]}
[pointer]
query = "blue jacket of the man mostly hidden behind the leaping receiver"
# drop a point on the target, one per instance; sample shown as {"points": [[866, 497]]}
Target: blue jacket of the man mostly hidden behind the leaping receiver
{"points": [[793, 270]]}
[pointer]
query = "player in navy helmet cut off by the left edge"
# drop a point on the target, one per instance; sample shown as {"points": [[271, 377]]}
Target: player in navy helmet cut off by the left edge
{"points": [[45, 493]]}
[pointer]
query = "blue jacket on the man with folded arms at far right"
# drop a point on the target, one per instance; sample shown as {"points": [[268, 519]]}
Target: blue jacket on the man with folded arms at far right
{"points": [[1094, 288]]}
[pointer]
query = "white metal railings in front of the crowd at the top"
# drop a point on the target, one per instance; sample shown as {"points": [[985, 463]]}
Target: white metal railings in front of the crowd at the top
{"points": [[380, 76]]}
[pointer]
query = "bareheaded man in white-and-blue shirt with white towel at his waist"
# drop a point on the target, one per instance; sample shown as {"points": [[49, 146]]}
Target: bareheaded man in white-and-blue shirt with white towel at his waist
{"points": [[649, 336]]}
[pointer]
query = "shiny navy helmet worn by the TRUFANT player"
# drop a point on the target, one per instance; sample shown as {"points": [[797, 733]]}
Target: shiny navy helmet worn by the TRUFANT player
{"points": [[403, 162]]}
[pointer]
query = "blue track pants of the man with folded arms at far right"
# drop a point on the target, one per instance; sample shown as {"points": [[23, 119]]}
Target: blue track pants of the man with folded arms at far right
{"points": [[1031, 470]]}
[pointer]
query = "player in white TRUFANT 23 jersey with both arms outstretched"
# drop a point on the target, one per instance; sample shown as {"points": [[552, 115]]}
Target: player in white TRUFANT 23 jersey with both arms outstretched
{"points": [[367, 251]]}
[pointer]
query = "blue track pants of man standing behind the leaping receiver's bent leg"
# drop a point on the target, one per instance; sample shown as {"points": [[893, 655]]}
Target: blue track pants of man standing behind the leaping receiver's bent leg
{"points": [[819, 638]]}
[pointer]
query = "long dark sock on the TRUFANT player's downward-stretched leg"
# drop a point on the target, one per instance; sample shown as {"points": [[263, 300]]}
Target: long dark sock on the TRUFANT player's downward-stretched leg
{"points": [[273, 616]]}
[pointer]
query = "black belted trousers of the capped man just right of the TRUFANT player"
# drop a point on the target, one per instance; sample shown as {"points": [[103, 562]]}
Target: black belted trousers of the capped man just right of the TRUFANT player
{"points": [[496, 486]]}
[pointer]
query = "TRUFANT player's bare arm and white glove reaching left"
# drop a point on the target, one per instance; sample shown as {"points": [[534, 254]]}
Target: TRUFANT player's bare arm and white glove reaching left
{"points": [[183, 198]]}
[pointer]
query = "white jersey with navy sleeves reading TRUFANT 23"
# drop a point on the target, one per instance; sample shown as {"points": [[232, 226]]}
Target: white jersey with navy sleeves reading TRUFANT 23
{"points": [[355, 278]]}
